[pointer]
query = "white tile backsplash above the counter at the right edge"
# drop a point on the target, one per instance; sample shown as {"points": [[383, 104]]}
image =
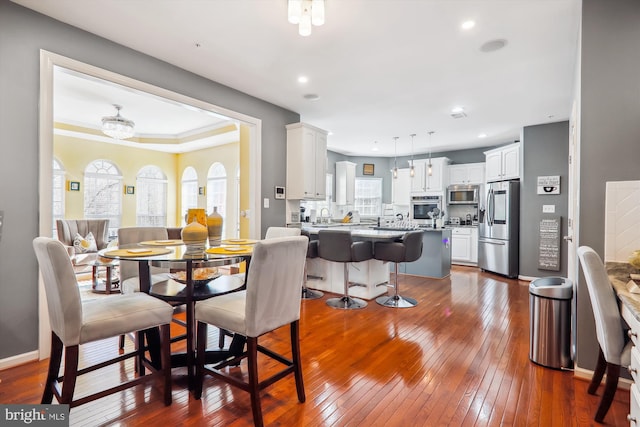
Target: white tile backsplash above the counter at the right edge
{"points": [[622, 220]]}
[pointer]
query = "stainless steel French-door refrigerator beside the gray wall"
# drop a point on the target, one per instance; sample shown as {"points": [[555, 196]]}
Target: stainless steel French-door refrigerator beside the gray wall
{"points": [[498, 228]]}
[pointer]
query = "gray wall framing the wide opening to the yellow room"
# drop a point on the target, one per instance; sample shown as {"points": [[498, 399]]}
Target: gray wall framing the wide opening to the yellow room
{"points": [[22, 34]]}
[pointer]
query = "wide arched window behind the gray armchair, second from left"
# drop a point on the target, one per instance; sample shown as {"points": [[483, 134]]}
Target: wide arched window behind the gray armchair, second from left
{"points": [[103, 193]]}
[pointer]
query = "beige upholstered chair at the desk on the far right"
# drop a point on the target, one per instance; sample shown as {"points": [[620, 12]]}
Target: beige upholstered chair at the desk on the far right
{"points": [[614, 351]]}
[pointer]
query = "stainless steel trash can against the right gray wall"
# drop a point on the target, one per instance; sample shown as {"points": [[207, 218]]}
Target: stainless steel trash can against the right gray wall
{"points": [[550, 301]]}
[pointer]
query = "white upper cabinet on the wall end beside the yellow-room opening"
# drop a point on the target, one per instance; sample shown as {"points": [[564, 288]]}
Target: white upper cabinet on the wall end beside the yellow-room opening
{"points": [[306, 162]]}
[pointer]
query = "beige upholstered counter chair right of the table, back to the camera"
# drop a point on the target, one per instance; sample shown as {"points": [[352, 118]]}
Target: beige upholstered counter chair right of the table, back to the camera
{"points": [[271, 300]]}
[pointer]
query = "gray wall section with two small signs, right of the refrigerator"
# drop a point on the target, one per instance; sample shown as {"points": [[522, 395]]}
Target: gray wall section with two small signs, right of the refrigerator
{"points": [[545, 150]]}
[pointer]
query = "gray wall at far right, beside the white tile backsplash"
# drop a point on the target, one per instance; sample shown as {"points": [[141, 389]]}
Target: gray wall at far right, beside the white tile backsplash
{"points": [[609, 129]]}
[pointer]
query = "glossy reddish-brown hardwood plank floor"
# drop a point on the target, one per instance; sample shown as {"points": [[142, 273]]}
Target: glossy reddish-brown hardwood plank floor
{"points": [[459, 358]]}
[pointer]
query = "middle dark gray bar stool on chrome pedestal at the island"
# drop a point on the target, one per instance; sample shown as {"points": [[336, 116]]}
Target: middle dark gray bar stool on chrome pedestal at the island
{"points": [[337, 246]]}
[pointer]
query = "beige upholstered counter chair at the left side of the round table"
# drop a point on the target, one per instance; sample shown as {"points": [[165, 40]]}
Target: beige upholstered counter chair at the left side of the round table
{"points": [[75, 322]]}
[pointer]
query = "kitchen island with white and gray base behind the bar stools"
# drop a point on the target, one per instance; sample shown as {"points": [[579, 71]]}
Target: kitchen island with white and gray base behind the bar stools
{"points": [[370, 277]]}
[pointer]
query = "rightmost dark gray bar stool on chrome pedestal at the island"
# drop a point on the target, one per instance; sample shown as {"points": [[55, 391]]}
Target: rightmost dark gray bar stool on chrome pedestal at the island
{"points": [[407, 249]]}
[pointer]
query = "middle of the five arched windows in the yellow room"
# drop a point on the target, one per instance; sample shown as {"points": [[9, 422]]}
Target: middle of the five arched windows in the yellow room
{"points": [[151, 197]]}
